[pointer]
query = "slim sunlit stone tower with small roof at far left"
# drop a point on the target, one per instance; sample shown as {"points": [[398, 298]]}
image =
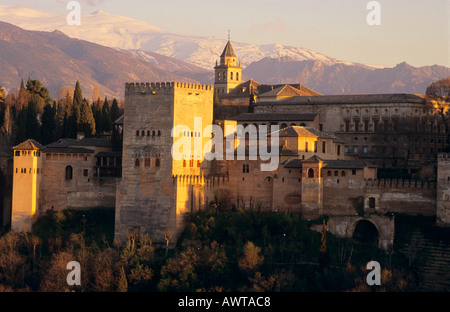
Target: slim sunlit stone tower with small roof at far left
{"points": [[26, 185]]}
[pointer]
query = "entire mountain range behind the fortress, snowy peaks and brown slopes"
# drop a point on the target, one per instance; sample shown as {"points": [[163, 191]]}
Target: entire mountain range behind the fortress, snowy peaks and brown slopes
{"points": [[108, 50]]}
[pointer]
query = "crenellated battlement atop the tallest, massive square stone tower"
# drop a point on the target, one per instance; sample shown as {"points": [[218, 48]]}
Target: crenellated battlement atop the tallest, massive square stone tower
{"points": [[162, 87]]}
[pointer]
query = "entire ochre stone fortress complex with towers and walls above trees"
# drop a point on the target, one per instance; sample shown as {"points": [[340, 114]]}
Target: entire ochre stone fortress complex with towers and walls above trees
{"points": [[329, 151]]}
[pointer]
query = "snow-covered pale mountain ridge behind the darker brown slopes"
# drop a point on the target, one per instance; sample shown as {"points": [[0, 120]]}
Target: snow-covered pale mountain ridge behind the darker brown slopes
{"points": [[125, 33]]}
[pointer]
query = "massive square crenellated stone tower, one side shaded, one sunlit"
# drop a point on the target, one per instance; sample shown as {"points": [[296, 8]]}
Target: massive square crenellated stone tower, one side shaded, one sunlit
{"points": [[157, 190]]}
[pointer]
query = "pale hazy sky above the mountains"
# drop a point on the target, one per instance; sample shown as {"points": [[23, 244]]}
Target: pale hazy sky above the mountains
{"points": [[415, 31]]}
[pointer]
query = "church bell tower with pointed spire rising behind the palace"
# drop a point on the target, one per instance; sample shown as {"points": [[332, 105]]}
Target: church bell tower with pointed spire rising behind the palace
{"points": [[228, 74]]}
